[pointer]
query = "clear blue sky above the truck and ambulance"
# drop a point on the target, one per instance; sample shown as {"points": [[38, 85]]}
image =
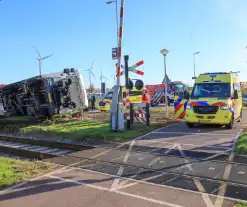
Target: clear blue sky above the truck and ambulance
{"points": [[80, 31]]}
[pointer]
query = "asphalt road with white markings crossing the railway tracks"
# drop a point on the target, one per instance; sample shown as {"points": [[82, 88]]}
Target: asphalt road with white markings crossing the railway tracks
{"points": [[173, 166]]}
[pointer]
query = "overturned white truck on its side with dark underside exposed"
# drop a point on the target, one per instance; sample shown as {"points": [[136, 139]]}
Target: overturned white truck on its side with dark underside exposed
{"points": [[50, 94]]}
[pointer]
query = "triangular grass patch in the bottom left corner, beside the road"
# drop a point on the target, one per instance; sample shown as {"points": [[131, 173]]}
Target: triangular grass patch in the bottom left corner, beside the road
{"points": [[13, 171]]}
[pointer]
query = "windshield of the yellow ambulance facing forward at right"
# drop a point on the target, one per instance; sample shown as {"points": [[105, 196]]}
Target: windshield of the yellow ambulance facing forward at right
{"points": [[215, 90]]}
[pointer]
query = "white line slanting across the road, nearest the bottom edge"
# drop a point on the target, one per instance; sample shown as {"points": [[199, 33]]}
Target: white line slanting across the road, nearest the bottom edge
{"points": [[117, 192]]}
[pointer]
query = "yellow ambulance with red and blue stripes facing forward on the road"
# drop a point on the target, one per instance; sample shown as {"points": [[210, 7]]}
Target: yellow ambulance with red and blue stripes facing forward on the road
{"points": [[216, 98]]}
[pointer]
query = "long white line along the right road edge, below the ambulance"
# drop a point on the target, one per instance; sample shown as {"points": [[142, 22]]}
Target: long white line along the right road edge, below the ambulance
{"points": [[223, 187]]}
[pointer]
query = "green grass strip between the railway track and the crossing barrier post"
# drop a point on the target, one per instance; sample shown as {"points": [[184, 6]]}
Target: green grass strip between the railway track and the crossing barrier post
{"points": [[87, 130]]}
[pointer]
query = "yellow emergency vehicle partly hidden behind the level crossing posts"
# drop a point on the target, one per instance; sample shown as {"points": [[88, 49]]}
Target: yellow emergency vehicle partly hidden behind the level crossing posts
{"points": [[135, 97]]}
